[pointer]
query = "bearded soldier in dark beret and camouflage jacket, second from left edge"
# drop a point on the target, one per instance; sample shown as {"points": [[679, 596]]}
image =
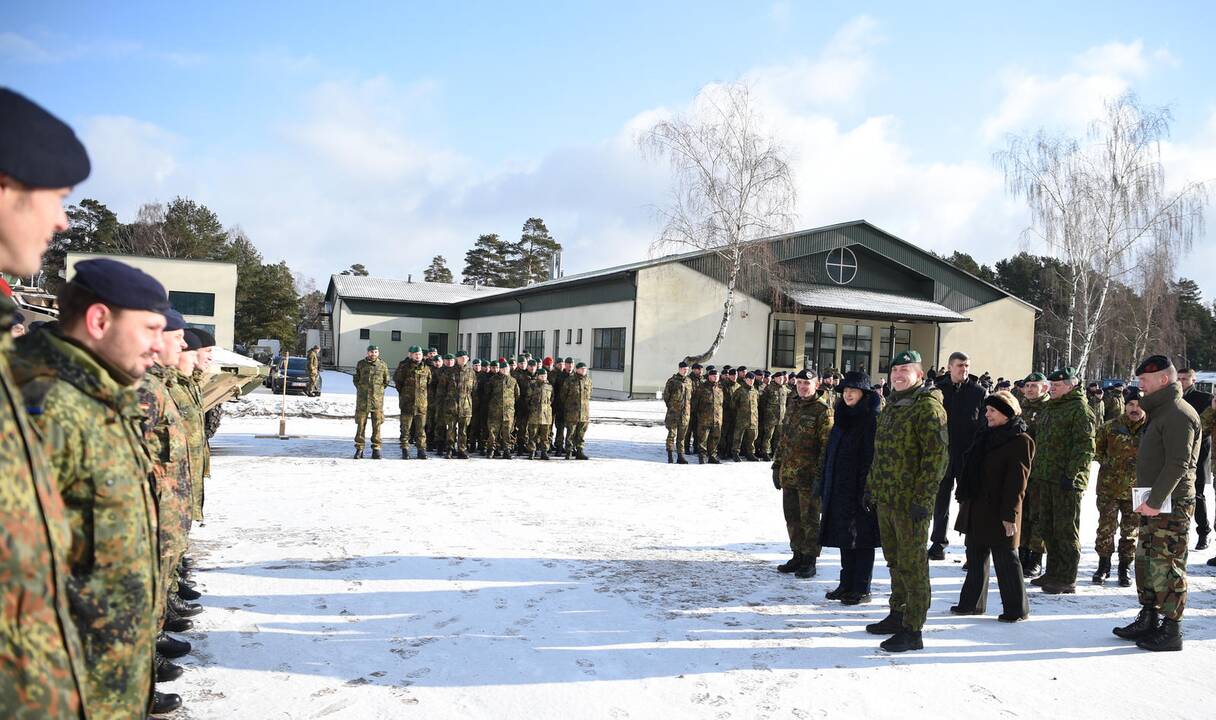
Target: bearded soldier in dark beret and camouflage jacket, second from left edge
{"points": [[78, 381]]}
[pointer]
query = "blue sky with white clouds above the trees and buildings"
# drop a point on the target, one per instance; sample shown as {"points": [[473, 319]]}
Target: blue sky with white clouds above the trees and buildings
{"points": [[390, 133]]}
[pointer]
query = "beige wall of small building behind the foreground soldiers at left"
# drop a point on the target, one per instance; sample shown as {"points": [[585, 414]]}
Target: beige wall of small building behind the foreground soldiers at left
{"points": [[196, 277]]}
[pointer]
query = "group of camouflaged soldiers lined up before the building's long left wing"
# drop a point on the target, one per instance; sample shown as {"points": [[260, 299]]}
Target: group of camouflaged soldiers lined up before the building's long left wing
{"points": [[498, 409]]}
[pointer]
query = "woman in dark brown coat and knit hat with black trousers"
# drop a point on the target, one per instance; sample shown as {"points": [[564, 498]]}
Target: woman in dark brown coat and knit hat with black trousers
{"points": [[990, 492]]}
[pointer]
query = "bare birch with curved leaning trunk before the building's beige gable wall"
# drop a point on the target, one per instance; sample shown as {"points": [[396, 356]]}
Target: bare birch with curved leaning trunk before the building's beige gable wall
{"points": [[733, 187]]}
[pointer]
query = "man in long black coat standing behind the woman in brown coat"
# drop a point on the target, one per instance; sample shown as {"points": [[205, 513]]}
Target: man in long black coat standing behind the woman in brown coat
{"points": [[964, 398]]}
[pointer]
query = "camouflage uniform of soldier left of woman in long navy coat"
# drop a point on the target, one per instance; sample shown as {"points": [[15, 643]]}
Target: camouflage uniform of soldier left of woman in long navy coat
{"points": [[800, 465]]}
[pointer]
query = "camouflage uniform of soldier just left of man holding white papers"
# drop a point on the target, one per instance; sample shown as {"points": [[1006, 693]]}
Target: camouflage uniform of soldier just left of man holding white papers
{"points": [[1116, 451]]}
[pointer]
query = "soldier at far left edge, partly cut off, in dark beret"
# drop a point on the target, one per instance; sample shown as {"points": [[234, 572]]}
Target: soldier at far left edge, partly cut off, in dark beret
{"points": [[42, 668]]}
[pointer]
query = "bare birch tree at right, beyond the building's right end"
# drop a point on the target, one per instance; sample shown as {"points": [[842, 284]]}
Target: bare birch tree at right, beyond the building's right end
{"points": [[1101, 206]]}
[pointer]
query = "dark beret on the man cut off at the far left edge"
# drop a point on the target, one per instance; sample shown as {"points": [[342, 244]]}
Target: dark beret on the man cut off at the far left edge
{"points": [[37, 148]]}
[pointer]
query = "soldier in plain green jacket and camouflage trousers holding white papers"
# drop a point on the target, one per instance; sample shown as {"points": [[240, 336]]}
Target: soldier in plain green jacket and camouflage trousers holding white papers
{"points": [[1166, 469]]}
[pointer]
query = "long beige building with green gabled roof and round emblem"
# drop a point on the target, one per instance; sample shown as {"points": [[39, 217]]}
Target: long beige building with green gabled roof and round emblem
{"points": [[851, 296]]}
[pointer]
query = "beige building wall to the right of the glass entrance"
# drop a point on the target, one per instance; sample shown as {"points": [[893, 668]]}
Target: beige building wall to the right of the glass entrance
{"points": [[1000, 339]]}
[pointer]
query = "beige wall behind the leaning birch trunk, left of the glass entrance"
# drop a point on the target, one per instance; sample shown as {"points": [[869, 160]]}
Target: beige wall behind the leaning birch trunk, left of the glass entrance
{"points": [[679, 312]]}
